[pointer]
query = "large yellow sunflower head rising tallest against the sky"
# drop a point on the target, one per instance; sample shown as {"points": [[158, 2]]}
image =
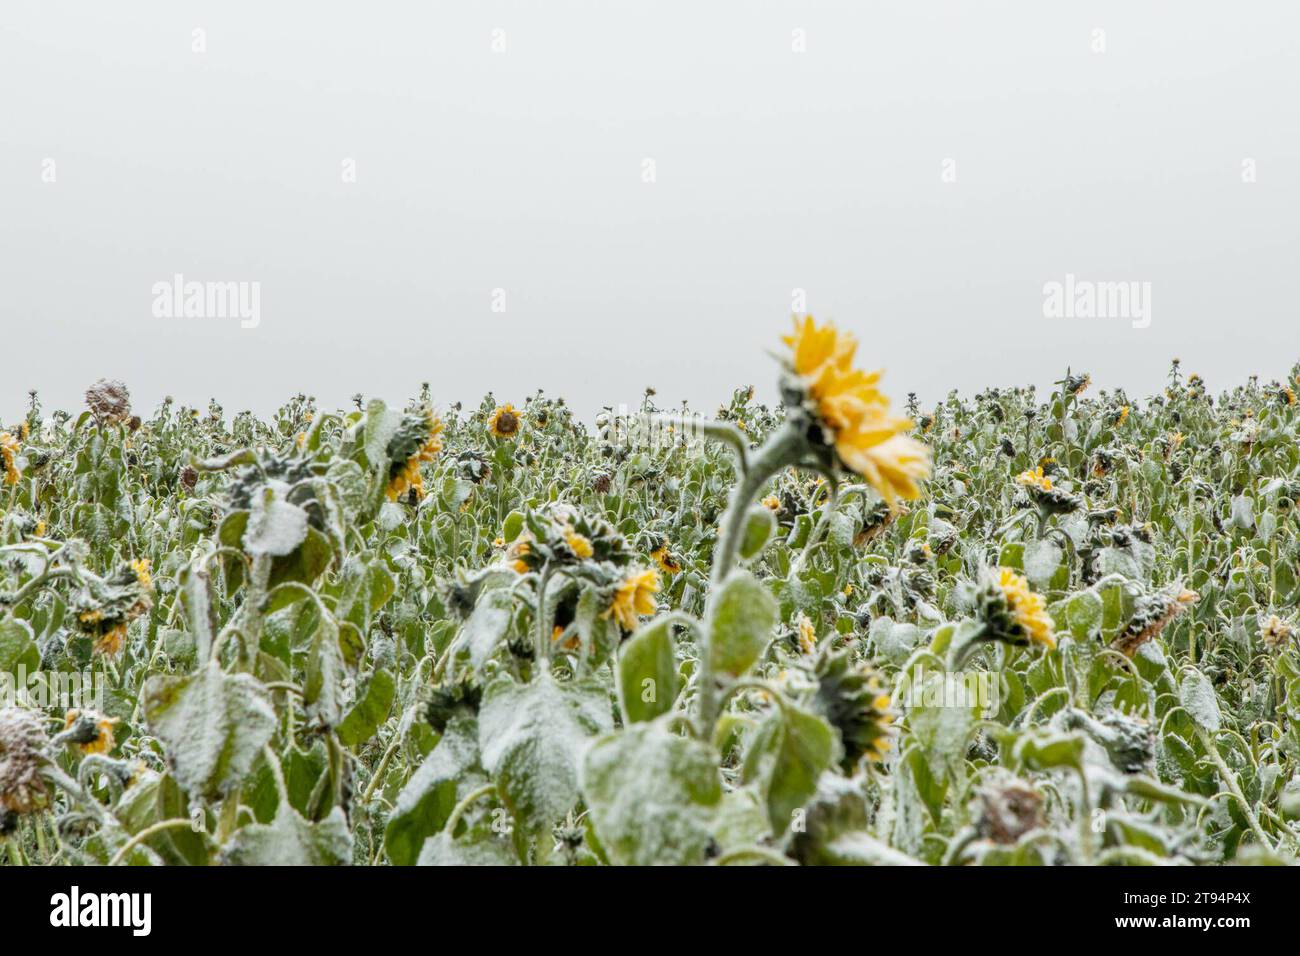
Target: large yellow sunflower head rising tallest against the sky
{"points": [[852, 413]]}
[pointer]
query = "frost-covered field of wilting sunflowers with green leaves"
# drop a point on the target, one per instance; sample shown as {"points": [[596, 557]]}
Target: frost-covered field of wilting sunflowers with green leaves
{"points": [[1017, 629]]}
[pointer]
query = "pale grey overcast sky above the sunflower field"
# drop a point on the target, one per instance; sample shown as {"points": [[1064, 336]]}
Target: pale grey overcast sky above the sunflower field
{"points": [[525, 171]]}
